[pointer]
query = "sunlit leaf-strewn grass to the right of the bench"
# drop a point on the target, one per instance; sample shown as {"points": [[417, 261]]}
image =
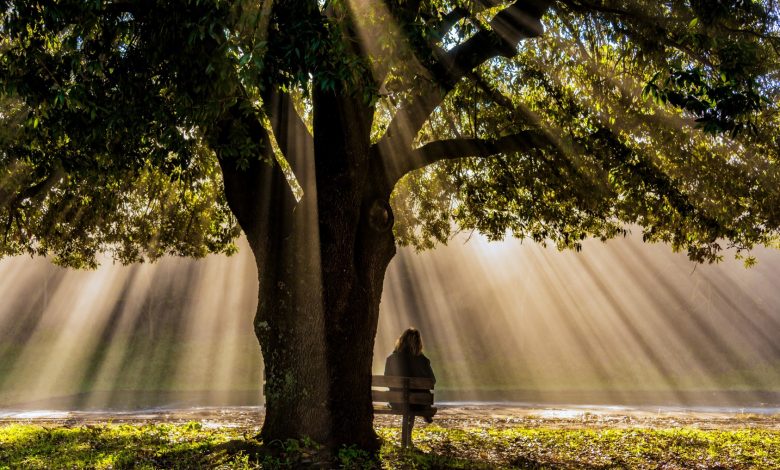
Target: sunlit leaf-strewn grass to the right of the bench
{"points": [[598, 449]]}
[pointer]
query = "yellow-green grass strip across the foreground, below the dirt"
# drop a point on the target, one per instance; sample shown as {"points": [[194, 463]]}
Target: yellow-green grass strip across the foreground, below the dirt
{"points": [[195, 446]]}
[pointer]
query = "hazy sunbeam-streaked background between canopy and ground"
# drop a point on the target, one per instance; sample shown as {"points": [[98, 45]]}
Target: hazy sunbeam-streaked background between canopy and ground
{"points": [[618, 323]]}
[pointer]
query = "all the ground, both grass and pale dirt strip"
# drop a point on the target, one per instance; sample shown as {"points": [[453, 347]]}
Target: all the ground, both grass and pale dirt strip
{"points": [[464, 436]]}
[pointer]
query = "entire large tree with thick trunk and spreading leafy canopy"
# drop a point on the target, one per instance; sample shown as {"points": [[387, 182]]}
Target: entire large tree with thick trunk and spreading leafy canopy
{"points": [[330, 131]]}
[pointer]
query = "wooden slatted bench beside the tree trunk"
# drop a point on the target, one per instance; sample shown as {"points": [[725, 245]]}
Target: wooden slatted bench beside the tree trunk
{"points": [[404, 391]]}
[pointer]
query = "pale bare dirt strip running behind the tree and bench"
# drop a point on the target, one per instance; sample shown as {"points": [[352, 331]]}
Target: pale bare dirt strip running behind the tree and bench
{"points": [[450, 416]]}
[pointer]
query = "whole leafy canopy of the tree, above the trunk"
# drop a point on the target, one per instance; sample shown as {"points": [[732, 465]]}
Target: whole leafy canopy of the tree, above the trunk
{"points": [[660, 114]]}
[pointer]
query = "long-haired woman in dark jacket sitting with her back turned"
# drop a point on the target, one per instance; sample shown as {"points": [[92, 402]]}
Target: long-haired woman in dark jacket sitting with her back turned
{"points": [[408, 360]]}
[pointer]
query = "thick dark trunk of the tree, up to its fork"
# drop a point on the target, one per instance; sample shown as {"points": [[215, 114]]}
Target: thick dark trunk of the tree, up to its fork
{"points": [[321, 264]]}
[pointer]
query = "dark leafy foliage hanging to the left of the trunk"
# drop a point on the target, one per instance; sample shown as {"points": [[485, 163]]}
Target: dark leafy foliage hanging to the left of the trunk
{"points": [[96, 153]]}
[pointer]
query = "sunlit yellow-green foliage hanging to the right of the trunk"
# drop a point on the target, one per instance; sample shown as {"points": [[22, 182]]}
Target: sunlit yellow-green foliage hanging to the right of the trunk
{"points": [[625, 100]]}
